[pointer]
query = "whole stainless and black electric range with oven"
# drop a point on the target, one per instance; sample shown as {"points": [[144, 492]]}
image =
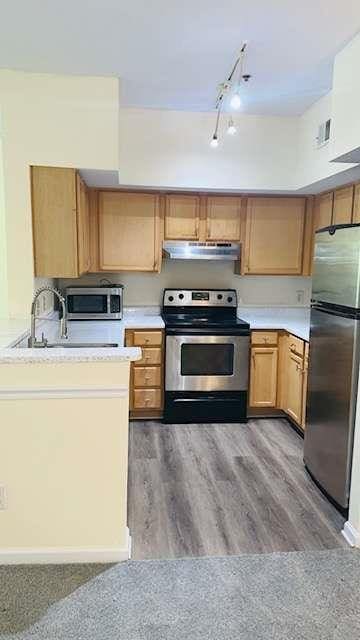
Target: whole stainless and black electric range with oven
{"points": [[207, 356]]}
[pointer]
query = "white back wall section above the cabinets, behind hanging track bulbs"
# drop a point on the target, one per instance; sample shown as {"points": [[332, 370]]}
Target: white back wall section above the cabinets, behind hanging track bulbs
{"points": [[171, 149]]}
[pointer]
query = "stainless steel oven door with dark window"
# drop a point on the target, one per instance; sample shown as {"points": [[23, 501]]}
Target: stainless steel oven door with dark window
{"points": [[206, 363]]}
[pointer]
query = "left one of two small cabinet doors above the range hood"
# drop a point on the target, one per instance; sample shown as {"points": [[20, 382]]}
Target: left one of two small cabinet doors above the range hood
{"points": [[182, 217]]}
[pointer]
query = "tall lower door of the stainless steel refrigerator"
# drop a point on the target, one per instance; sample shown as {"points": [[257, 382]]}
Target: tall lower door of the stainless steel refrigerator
{"points": [[332, 389]]}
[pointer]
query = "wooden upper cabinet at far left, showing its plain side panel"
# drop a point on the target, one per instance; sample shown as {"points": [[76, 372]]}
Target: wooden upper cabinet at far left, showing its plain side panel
{"points": [[60, 223]]}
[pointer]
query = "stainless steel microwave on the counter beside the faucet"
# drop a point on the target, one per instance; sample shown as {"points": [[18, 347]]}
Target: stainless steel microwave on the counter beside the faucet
{"points": [[94, 303]]}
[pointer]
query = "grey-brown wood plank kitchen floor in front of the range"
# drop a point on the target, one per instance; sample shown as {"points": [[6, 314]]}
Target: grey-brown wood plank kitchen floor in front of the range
{"points": [[226, 489]]}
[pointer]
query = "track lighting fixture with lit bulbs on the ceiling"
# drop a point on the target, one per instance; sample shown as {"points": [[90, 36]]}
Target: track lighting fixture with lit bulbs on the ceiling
{"points": [[230, 90]]}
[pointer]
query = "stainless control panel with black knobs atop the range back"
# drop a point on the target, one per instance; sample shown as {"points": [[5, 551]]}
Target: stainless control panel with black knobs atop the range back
{"points": [[200, 297]]}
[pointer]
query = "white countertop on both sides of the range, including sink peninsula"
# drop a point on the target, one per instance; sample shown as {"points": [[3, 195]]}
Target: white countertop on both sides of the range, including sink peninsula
{"points": [[296, 320]]}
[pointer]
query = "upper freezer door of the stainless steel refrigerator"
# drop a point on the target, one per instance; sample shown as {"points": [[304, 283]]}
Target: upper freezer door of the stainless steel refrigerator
{"points": [[336, 273]]}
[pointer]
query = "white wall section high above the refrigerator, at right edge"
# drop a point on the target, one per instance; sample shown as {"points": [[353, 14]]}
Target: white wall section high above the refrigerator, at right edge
{"points": [[346, 100]]}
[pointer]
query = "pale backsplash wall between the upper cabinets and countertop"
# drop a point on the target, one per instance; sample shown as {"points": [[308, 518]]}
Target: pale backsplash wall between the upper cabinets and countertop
{"points": [[146, 288]]}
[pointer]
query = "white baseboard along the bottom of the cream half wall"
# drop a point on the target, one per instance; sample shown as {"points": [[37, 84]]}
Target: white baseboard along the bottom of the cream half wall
{"points": [[66, 555]]}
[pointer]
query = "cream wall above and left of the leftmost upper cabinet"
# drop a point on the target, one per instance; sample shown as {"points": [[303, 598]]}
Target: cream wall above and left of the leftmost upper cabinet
{"points": [[52, 120]]}
